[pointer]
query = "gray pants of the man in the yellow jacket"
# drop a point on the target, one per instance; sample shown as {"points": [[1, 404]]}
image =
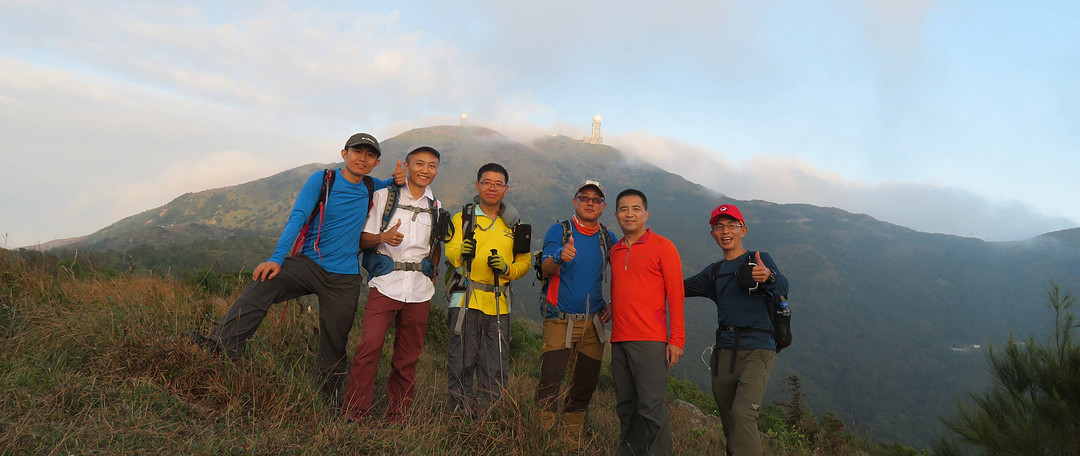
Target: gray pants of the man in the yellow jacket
{"points": [[477, 353]]}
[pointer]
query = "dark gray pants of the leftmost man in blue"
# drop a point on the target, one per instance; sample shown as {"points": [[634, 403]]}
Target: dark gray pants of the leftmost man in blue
{"points": [[301, 276]]}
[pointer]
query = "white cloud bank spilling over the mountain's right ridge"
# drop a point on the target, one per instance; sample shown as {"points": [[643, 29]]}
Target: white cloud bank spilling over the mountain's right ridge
{"points": [[924, 207]]}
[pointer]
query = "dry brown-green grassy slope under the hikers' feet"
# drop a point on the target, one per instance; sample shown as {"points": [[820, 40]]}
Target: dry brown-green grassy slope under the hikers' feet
{"points": [[98, 366]]}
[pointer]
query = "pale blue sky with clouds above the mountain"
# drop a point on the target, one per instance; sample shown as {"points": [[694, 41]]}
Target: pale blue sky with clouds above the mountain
{"points": [[947, 117]]}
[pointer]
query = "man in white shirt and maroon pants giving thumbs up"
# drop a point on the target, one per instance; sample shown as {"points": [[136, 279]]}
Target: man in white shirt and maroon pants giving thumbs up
{"points": [[401, 270]]}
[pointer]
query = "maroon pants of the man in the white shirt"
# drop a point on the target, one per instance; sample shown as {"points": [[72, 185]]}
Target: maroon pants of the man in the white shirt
{"points": [[411, 321]]}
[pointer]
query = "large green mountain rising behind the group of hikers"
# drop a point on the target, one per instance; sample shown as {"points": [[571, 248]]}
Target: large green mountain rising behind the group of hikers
{"points": [[879, 307]]}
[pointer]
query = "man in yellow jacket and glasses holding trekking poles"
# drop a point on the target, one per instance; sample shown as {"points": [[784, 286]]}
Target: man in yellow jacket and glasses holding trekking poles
{"points": [[482, 250]]}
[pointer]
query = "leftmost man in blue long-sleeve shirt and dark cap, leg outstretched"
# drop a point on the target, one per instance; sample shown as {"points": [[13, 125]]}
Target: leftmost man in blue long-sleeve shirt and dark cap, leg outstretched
{"points": [[328, 264]]}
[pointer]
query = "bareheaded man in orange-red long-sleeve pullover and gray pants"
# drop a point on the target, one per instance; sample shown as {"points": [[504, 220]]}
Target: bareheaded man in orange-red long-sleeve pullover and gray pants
{"points": [[647, 328]]}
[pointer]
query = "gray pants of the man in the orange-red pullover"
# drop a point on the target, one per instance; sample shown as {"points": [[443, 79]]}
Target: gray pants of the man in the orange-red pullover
{"points": [[640, 371]]}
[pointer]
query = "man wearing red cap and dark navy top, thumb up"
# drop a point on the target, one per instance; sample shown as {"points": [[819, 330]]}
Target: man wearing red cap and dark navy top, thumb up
{"points": [[742, 358]]}
